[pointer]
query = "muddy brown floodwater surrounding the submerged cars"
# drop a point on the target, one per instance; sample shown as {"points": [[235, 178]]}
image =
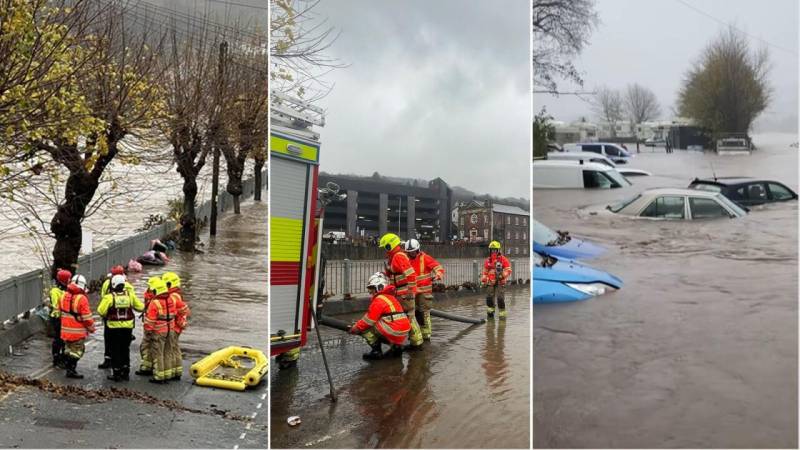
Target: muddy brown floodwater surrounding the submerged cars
{"points": [[699, 348]]}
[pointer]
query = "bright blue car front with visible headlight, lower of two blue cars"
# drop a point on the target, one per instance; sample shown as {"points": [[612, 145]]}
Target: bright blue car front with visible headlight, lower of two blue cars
{"points": [[557, 281]]}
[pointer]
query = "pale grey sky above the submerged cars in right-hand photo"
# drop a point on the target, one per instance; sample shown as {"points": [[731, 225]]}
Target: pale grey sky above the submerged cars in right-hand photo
{"points": [[655, 42]]}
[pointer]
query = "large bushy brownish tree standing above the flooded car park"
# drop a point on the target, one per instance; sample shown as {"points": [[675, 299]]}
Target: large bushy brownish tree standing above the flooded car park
{"points": [[728, 88]]}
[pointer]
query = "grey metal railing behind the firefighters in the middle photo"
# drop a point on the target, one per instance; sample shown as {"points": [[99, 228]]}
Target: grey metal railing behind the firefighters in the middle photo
{"points": [[346, 277]]}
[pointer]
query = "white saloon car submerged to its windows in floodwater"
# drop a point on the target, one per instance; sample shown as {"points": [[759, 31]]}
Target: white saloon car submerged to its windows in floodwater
{"points": [[678, 204]]}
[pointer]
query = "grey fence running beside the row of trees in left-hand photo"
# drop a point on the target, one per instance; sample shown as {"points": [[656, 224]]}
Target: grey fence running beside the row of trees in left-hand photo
{"points": [[23, 293]]}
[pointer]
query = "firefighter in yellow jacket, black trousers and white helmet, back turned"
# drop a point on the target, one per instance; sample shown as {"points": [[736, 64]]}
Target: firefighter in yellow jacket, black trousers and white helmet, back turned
{"points": [[117, 310]]}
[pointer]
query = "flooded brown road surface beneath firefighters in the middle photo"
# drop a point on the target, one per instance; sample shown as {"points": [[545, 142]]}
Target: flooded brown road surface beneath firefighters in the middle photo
{"points": [[469, 388]]}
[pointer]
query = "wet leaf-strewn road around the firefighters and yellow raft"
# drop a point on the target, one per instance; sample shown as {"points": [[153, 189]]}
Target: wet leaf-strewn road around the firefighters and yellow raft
{"points": [[226, 288]]}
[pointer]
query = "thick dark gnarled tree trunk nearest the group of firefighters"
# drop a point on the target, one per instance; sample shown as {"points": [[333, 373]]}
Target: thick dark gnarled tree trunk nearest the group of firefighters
{"points": [[66, 223]]}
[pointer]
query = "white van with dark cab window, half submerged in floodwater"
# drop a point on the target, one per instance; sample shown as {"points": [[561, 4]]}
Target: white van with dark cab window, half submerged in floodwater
{"points": [[576, 175]]}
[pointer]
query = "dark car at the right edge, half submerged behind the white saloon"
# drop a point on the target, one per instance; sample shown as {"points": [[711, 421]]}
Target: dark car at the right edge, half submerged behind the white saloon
{"points": [[746, 191]]}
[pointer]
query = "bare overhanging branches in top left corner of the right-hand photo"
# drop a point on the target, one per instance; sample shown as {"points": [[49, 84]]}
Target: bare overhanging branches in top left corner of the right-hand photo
{"points": [[561, 29]]}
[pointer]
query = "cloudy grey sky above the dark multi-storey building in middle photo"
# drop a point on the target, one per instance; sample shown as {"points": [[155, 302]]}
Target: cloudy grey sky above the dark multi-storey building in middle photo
{"points": [[433, 89]]}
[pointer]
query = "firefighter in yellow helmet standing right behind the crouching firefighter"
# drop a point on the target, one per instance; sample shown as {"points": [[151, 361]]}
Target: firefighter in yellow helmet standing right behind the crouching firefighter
{"points": [[402, 275]]}
